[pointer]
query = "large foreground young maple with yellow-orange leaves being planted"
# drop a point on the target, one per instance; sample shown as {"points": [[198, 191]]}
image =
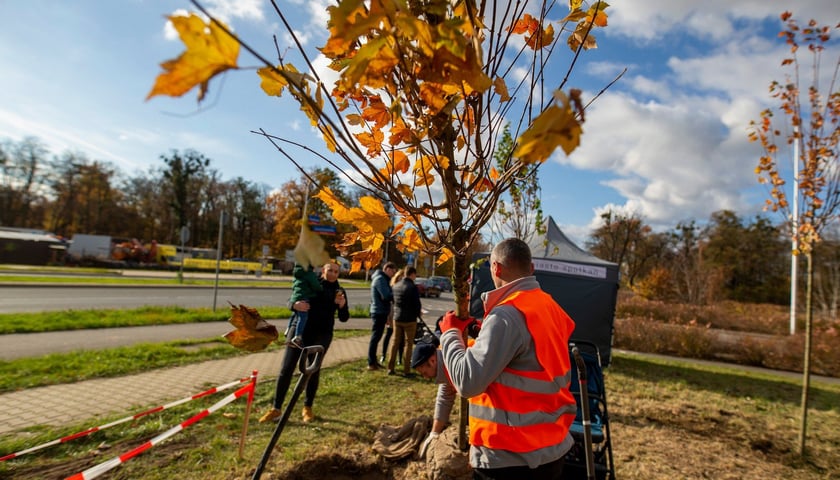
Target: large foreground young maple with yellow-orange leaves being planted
{"points": [[424, 90]]}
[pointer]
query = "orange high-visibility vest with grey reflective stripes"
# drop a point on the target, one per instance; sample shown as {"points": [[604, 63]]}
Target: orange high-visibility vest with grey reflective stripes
{"points": [[523, 411]]}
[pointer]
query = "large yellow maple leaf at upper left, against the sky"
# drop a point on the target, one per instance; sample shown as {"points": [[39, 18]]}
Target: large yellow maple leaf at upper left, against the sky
{"points": [[210, 51]]}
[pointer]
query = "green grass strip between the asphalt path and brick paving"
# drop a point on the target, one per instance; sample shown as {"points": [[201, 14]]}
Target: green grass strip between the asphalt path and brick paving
{"points": [[81, 365]]}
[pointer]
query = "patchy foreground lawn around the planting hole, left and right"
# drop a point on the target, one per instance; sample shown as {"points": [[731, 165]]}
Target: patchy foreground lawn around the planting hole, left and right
{"points": [[352, 404]]}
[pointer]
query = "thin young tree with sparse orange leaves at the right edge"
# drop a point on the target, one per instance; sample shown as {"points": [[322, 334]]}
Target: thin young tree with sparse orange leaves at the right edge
{"points": [[811, 117]]}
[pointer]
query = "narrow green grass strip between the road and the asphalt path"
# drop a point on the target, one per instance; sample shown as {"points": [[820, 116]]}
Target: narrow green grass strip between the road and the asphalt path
{"points": [[87, 319]]}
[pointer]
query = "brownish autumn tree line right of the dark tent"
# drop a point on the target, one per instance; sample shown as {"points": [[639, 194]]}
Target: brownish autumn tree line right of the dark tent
{"points": [[725, 259]]}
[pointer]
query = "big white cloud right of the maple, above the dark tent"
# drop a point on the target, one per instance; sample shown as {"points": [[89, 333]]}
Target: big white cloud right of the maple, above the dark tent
{"points": [[670, 161]]}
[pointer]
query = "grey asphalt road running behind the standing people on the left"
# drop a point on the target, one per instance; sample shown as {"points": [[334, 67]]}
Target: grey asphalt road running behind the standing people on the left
{"points": [[29, 298]]}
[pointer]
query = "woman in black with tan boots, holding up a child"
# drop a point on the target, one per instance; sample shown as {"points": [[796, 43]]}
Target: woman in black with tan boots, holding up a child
{"points": [[322, 309]]}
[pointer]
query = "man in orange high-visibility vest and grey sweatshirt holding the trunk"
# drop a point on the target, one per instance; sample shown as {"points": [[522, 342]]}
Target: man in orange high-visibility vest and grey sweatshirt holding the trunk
{"points": [[516, 375]]}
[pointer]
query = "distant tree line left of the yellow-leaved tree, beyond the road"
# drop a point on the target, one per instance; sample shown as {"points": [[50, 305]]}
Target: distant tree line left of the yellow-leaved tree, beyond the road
{"points": [[70, 193]]}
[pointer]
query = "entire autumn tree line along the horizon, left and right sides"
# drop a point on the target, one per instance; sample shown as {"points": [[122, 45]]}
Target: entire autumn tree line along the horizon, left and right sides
{"points": [[726, 258]]}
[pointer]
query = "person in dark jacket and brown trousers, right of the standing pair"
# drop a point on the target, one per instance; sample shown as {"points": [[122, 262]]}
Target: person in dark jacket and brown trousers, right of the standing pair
{"points": [[406, 311]]}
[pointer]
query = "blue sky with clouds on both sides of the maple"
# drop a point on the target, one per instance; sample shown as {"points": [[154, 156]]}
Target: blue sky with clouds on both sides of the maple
{"points": [[668, 141]]}
